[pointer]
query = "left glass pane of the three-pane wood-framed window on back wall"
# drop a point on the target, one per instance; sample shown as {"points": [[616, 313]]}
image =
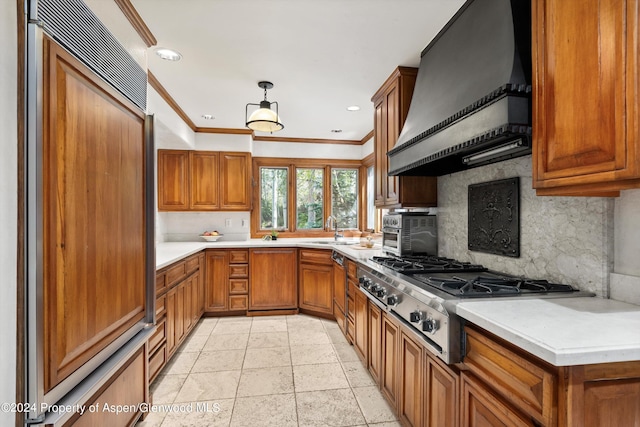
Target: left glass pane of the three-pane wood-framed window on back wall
{"points": [[274, 197]]}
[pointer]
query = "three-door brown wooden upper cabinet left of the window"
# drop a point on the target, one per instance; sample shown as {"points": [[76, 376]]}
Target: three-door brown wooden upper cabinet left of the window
{"points": [[203, 180]]}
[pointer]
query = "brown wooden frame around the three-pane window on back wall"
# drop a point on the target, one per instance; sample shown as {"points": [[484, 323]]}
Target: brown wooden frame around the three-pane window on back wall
{"points": [[293, 165]]}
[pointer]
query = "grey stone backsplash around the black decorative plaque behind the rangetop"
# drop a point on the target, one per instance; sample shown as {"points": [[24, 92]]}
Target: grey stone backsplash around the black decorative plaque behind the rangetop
{"points": [[564, 239]]}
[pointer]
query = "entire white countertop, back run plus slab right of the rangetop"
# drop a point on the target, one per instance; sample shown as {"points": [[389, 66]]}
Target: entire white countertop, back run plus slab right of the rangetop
{"points": [[561, 331]]}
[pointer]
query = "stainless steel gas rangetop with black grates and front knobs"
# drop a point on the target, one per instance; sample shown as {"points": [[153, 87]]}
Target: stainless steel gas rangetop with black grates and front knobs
{"points": [[423, 291]]}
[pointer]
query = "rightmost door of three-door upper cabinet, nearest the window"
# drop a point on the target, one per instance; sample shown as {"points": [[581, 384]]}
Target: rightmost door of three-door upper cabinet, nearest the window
{"points": [[235, 185]]}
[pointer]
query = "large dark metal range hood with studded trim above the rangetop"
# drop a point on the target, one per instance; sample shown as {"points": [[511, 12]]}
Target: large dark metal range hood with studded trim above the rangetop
{"points": [[472, 101]]}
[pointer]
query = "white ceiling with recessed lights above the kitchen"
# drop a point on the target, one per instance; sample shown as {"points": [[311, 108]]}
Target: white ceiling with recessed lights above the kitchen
{"points": [[321, 55]]}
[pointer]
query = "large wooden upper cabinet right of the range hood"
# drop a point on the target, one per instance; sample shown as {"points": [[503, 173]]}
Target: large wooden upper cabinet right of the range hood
{"points": [[586, 100]]}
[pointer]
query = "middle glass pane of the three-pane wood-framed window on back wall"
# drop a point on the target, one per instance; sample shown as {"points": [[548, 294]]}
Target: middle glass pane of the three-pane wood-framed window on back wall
{"points": [[309, 199]]}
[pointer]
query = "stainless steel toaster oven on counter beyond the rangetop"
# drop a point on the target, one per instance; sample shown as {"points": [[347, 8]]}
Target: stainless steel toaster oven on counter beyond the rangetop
{"points": [[405, 233]]}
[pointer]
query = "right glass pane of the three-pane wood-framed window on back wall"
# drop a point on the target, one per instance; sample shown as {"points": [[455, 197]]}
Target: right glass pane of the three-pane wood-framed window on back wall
{"points": [[344, 197]]}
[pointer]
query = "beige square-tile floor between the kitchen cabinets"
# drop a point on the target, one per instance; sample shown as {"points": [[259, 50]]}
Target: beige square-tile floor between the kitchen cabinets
{"points": [[267, 371]]}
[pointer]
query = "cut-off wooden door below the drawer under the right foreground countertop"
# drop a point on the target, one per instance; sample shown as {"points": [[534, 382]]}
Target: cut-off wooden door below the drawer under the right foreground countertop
{"points": [[481, 408]]}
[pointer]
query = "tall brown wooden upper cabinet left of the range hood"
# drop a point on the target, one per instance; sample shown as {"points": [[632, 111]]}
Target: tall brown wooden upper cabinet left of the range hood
{"points": [[391, 104]]}
